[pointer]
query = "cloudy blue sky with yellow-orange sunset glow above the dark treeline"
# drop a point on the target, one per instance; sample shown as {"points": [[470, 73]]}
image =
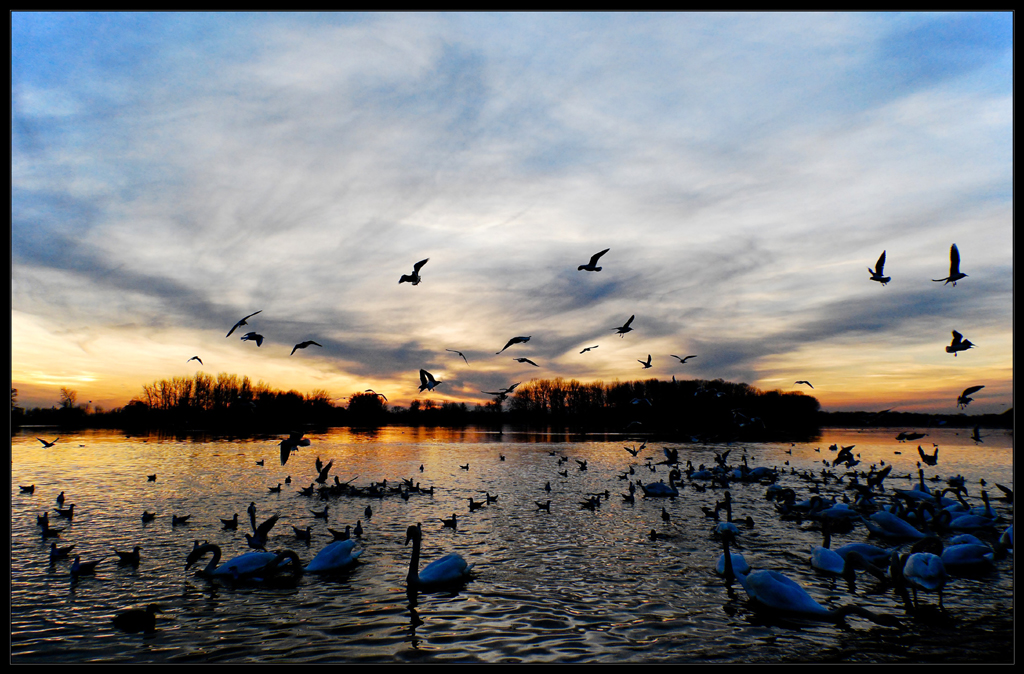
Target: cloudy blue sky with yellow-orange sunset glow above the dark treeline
{"points": [[173, 174]]}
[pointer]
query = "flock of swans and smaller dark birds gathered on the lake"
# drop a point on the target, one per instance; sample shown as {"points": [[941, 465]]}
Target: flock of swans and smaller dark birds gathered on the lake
{"points": [[925, 535]]}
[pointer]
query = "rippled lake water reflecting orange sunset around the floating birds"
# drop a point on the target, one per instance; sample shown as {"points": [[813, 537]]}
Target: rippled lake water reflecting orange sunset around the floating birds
{"points": [[570, 586]]}
